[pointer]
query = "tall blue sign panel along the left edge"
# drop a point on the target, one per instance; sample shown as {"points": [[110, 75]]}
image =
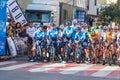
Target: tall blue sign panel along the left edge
{"points": [[3, 6]]}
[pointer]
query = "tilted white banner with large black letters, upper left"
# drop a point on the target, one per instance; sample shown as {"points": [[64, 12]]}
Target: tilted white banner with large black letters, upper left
{"points": [[16, 12]]}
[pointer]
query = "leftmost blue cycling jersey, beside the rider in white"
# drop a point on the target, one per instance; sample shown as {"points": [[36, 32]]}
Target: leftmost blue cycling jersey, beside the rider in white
{"points": [[39, 35]]}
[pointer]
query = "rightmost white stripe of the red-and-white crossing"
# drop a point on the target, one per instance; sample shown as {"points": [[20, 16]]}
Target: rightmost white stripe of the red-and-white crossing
{"points": [[105, 71]]}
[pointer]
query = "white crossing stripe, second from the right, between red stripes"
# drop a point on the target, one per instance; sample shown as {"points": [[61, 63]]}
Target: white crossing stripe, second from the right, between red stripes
{"points": [[76, 69]]}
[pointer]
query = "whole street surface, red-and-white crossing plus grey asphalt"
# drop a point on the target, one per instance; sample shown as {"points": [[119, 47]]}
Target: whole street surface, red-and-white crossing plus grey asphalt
{"points": [[20, 69]]}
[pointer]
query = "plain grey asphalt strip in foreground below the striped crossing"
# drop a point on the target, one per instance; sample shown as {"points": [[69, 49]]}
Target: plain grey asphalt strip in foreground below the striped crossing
{"points": [[13, 75]]}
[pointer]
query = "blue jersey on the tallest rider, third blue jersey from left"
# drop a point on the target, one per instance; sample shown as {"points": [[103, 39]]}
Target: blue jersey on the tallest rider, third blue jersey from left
{"points": [[69, 33]]}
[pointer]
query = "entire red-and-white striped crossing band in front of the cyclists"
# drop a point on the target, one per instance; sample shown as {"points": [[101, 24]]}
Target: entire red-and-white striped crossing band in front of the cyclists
{"points": [[59, 68]]}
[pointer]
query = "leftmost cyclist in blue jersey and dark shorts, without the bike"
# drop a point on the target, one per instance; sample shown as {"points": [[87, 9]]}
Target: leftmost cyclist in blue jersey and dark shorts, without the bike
{"points": [[39, 37]]}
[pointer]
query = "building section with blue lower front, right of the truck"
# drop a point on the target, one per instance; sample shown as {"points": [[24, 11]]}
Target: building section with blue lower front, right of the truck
{"points": [[79, 9]]}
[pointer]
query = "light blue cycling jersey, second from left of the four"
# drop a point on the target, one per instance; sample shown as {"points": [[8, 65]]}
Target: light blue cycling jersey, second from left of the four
{"points": [[52, 34]]}
